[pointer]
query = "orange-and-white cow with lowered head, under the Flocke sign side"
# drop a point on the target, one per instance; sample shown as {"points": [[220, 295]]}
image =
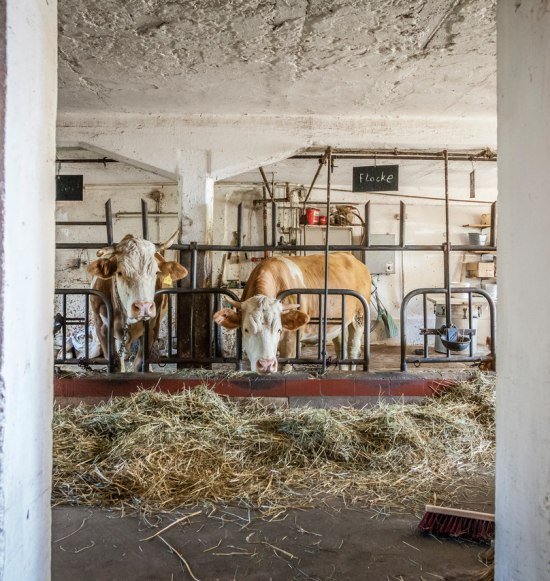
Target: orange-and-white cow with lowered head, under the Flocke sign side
{"points": [[267, 323]]}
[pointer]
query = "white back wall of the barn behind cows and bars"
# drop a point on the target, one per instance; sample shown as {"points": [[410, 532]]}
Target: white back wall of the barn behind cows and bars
{"points": [[126, 186]]}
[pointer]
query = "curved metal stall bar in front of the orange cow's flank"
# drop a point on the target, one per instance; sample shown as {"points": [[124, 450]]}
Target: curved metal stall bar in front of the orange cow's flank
{"points": [[320, 292]]}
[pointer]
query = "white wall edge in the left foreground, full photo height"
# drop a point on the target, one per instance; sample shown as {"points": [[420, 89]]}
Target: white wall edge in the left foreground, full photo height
{"points": [[27, 286]]}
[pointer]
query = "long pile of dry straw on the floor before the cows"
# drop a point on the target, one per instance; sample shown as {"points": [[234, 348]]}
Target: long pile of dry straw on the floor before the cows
{"points": [[160, 451]]}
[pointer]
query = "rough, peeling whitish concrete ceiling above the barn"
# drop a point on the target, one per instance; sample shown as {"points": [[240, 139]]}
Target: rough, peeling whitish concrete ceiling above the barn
{"points": [[334, 57]]}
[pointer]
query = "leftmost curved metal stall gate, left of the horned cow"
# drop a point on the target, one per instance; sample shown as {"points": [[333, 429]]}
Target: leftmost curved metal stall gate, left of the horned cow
{"points": [[108, 358]]}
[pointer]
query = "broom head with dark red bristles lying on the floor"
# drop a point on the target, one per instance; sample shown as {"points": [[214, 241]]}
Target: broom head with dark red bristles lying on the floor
{"points": [[457, 523]]}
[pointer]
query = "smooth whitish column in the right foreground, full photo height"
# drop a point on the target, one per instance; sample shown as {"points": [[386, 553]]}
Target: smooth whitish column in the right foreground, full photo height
{"points": [[523, 391]]}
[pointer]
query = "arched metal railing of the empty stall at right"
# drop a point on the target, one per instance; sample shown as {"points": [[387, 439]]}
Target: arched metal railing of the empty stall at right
{"points": [[426, 332]]}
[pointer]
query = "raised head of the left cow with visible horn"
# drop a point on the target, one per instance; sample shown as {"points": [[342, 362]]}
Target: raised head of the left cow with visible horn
{"points": [[135, 264]]}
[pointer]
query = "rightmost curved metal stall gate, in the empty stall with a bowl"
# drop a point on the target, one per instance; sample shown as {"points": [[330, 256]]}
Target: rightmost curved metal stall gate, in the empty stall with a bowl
{"points": [[449, 358]]}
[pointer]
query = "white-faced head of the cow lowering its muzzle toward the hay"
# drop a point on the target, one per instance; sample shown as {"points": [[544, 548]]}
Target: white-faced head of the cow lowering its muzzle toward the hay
{"points": [[262, 320]]}
